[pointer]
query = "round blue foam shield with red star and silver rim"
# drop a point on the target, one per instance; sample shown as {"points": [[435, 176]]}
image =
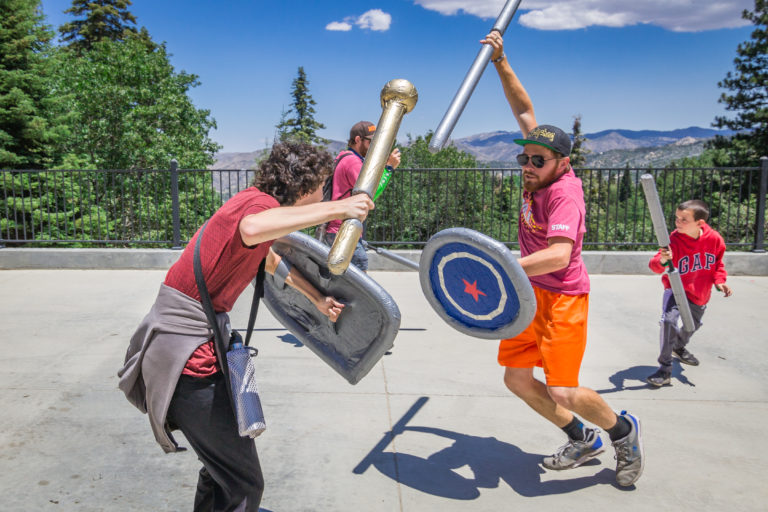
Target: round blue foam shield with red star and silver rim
{"points": [[476, 284]]}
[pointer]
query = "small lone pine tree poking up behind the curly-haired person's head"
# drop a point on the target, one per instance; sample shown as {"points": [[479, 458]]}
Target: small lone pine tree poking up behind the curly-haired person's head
{"points": [[301, 125]]}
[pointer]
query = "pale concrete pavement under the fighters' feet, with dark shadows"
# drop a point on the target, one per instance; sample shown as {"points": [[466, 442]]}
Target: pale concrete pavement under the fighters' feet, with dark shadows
{"points": [[431, 428]]}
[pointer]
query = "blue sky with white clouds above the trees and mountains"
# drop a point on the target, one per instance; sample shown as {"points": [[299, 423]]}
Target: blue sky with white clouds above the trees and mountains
{"points": [[651, 64]]}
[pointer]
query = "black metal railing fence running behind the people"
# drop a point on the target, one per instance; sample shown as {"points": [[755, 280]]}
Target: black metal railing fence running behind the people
{"points": [[164, 208]]}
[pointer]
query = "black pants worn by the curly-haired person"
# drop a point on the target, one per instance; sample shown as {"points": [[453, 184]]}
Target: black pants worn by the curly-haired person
{"points": [[230, 479]]}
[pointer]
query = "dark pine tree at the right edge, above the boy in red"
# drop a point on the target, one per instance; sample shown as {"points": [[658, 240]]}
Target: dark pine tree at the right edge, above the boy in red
{"points": [[749, 94]]}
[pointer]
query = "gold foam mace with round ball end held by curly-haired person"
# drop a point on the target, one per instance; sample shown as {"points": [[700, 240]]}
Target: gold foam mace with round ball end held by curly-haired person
{"points": [[398, 97]]}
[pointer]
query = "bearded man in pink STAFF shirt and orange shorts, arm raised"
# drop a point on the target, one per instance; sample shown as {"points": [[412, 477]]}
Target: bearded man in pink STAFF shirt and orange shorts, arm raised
{"points": [[550, 233]]}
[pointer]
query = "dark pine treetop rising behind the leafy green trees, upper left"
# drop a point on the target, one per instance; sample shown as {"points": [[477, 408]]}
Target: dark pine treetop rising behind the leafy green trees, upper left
{"points": [[101, 19]]}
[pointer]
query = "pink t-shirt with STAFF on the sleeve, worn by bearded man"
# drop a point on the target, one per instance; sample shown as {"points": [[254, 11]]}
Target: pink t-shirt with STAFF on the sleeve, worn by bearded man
{"points": [[556, 211]]}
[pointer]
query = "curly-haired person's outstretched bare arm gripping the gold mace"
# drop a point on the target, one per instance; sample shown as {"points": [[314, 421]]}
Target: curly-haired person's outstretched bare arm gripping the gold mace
{"points": [[276, 222]]}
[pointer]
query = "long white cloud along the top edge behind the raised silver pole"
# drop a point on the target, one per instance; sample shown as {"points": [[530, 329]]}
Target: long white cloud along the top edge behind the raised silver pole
{"points": [[675, 15]]}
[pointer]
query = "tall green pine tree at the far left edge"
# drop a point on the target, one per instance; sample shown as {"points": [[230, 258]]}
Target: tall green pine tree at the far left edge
{"points": [[24, 43]]}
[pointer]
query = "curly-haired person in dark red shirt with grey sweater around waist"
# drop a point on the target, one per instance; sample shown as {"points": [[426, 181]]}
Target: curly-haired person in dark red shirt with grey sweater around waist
{"points": [[172, 371]]}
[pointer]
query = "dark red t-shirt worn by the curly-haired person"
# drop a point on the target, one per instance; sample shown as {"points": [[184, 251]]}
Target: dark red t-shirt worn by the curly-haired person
{"points": [[228, 265]]}
